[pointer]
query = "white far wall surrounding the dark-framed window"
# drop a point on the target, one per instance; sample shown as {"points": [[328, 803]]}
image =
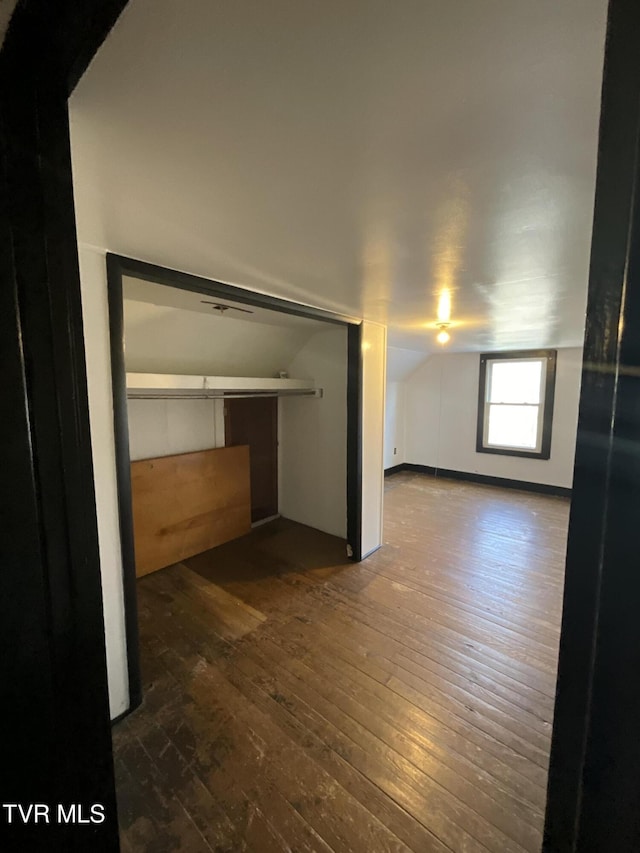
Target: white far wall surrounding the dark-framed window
{"points": [[441, 418]]}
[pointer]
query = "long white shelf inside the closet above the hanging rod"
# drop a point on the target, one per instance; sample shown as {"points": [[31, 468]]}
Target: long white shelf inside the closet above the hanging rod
{"points": [[171, 386]]}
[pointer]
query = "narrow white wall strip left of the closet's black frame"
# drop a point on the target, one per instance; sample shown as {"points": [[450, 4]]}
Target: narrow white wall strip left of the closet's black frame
{"points": [[98, 353]]}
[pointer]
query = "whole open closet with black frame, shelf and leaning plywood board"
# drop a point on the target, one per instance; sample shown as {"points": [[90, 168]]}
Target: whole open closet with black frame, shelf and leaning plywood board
{"points": [[236, 415]]}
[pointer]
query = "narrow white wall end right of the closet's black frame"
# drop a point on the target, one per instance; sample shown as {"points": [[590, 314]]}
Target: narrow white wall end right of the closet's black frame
{"points": [[374, 351]]}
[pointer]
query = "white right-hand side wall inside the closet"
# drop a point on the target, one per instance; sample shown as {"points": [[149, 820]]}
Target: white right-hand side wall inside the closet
{"points": [[313, 437]]}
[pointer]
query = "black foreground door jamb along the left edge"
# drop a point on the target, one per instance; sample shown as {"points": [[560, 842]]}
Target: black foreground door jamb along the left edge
{"points": [[56, 744]]}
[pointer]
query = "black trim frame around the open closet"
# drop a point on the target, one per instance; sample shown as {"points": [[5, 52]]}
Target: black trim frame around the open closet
{"points": [[119, 266]]}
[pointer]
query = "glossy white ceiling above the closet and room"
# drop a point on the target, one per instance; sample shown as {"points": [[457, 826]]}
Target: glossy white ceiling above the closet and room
{"points": [[359, 156]]}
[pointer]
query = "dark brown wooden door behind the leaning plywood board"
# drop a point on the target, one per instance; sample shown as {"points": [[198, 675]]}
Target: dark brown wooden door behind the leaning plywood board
{"points": [[254, 421]]}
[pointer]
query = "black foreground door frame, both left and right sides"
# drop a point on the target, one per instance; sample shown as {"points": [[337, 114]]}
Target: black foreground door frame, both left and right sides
{"points": [[55, 711]]}
